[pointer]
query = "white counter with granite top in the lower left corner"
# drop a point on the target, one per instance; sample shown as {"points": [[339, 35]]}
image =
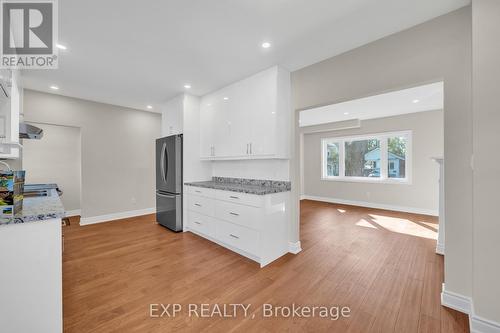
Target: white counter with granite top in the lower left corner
{"points": [[31, 266]]}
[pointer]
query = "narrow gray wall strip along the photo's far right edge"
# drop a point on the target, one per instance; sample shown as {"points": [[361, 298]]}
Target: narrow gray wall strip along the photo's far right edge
{"points": [[486, 89]]}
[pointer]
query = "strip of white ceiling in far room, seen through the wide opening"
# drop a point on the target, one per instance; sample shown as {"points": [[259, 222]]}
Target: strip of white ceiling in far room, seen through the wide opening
{"points": [[418, 99]]}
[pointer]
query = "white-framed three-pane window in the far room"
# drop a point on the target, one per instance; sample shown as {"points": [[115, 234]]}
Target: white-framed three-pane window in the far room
{"points": [[373, 158]]}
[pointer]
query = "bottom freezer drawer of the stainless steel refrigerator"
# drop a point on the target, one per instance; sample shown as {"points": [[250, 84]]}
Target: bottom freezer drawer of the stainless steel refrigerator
{"points": [[169, 210]]}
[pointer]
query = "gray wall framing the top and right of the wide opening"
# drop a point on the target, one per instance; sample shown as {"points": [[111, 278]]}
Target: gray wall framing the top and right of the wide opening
{"points": [[438, 50]]}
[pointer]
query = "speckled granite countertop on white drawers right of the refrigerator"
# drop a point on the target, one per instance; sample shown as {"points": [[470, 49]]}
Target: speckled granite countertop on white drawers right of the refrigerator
{"points": [[250, 186]]}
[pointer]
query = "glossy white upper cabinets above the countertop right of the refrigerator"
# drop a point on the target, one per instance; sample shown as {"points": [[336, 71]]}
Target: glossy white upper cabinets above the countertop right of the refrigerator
{"points": [[249, 119]]}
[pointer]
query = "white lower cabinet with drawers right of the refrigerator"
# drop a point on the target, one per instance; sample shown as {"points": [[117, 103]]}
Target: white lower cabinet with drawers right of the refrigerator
{"points": [[254, 226]]}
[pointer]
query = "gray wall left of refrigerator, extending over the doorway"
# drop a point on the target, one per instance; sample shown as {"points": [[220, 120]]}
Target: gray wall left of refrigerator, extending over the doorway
{"points": [[117, 152]]}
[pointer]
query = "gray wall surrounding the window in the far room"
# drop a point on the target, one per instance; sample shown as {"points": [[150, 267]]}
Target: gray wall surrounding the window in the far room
{"points": [[421, 195]]}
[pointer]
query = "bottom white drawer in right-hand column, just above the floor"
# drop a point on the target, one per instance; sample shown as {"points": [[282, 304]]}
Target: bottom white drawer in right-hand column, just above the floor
{"points": [[239, 237]]}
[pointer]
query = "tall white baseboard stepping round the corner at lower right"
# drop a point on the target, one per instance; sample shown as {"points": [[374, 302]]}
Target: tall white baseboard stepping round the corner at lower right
{"points": [[465, 305]]}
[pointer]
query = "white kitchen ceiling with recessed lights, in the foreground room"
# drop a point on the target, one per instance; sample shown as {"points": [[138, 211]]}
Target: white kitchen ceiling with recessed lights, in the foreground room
{"points": [[135, 53]]}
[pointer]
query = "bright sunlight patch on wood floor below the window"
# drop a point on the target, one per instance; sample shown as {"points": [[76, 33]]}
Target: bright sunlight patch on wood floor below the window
{"points": [[402, 226]]}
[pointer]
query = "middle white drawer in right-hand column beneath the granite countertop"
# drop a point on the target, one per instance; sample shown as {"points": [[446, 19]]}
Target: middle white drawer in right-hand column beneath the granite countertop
{"points": [[240, 214]]}
